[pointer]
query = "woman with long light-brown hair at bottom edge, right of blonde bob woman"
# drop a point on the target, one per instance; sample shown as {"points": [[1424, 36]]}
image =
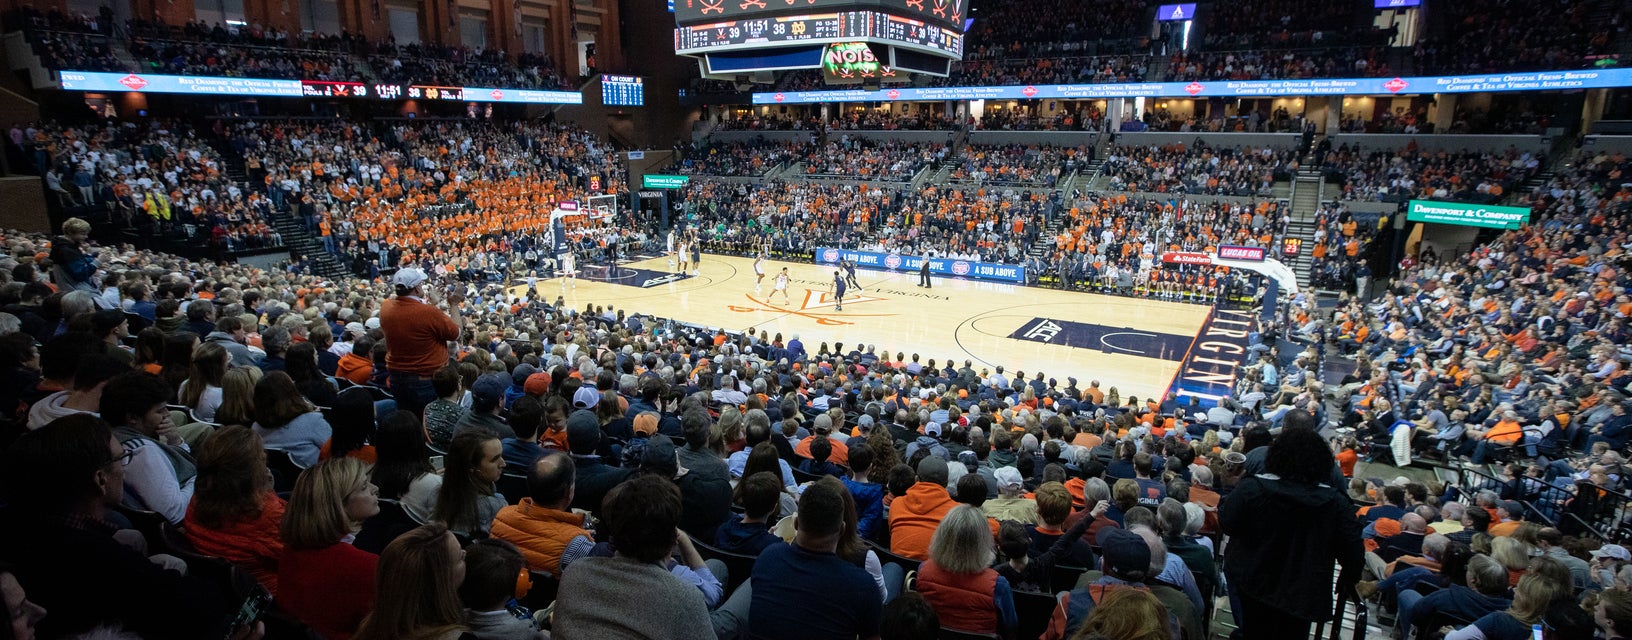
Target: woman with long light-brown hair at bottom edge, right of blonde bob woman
{"points": [[419, 589]]}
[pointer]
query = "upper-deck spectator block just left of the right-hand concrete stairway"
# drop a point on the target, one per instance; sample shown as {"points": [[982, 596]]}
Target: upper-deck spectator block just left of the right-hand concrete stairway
{"points": [[1199, 169]]}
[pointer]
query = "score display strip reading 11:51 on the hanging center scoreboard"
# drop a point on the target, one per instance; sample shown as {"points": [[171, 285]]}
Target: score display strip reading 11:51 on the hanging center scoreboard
{"points": [[843, 27]]}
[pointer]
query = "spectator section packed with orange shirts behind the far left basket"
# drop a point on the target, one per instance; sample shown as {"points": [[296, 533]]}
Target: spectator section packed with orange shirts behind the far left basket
{"points": [[415, 193]]}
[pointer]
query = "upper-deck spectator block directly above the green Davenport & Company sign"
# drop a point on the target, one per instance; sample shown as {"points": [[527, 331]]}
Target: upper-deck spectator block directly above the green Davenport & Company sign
{"points": [[1408, 174]]}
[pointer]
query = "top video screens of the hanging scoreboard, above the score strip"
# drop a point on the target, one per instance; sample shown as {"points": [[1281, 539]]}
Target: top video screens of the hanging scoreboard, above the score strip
{"points": [[944, 14]]}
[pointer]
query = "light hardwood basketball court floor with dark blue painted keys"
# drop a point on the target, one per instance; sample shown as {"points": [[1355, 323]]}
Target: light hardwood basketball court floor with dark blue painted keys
{"points": [[1135, 345]]}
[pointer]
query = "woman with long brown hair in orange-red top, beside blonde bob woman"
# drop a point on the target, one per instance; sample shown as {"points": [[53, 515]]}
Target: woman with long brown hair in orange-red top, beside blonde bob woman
{"points": [[234, 513]]}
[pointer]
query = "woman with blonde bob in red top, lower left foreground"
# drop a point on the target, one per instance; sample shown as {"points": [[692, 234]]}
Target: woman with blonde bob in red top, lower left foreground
{"points": [[324, 580]]}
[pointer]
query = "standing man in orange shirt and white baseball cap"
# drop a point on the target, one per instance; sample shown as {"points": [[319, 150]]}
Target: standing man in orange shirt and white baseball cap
{"points": [[419, 334]]}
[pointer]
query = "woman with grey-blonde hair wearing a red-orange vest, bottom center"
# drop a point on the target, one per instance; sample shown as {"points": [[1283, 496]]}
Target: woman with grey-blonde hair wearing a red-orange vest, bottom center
{"points": [[959, 579]]}
